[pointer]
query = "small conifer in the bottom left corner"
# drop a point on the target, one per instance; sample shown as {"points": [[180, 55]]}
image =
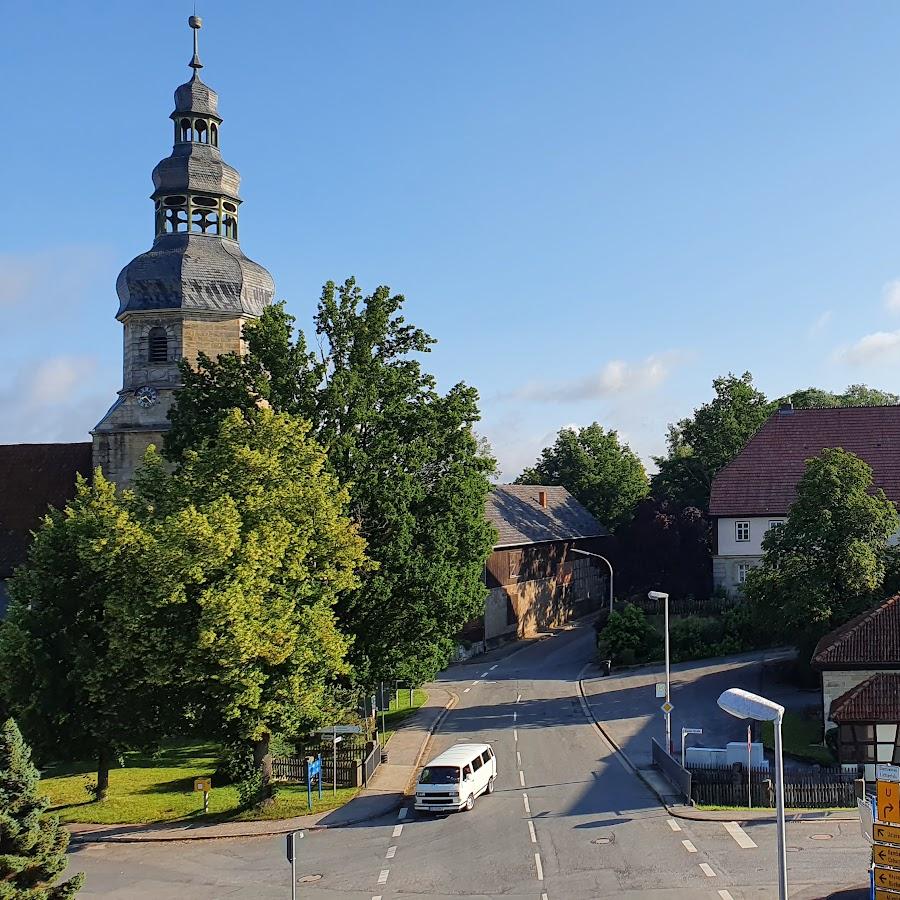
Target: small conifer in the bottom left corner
{"points": [[32, 845]]}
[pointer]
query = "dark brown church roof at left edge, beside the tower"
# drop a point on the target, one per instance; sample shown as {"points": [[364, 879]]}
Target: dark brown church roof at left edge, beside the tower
{"points": [[33, 477]]}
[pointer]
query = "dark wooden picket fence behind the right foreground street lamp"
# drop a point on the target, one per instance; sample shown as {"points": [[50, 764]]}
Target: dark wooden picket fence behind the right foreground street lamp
{"points": [[803, 789]]}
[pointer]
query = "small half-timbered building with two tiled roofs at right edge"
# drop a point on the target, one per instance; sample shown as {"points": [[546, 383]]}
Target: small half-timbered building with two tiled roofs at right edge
{"points": [[860, 666]]}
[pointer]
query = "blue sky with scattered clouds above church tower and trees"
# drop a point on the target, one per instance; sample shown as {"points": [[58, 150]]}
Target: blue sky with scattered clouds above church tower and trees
{"points": [[594, 207]]}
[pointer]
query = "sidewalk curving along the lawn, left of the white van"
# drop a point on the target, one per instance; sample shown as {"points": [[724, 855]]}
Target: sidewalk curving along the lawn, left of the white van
{"points": [[384, 795]]}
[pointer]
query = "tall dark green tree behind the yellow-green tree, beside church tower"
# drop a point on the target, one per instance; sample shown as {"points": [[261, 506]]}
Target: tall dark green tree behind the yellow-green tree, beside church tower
{"points": [[418, 478]]}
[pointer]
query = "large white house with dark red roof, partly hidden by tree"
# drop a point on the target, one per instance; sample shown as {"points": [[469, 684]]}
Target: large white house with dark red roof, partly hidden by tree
{"points": [[754, 492]]}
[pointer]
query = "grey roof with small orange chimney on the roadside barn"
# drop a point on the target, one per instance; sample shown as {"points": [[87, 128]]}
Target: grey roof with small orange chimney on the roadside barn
{"points": [[515, 511]]}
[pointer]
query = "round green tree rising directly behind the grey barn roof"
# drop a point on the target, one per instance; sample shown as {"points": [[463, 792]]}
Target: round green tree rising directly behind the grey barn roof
{"points": [[599, 471]]}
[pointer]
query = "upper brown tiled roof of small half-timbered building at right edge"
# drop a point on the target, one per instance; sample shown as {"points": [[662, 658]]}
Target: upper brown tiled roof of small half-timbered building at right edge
{"points": [[869, 641]]}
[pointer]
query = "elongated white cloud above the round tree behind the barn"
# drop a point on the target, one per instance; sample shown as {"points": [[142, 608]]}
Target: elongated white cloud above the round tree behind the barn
{"points": [[616, 378]]}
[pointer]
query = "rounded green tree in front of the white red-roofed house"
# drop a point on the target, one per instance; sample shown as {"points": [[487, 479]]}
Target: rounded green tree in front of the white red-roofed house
{"points": [[828, 561]]}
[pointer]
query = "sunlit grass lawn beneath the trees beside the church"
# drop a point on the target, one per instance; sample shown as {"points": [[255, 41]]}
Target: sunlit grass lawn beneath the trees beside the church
{"points": [[159, 788]]}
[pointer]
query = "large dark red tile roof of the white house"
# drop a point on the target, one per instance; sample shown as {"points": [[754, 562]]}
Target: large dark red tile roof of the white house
{"points": [[762, 480]]}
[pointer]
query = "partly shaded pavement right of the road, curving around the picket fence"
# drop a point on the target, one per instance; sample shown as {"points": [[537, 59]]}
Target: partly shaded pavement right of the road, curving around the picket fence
{"points": [[626, 712]]}
